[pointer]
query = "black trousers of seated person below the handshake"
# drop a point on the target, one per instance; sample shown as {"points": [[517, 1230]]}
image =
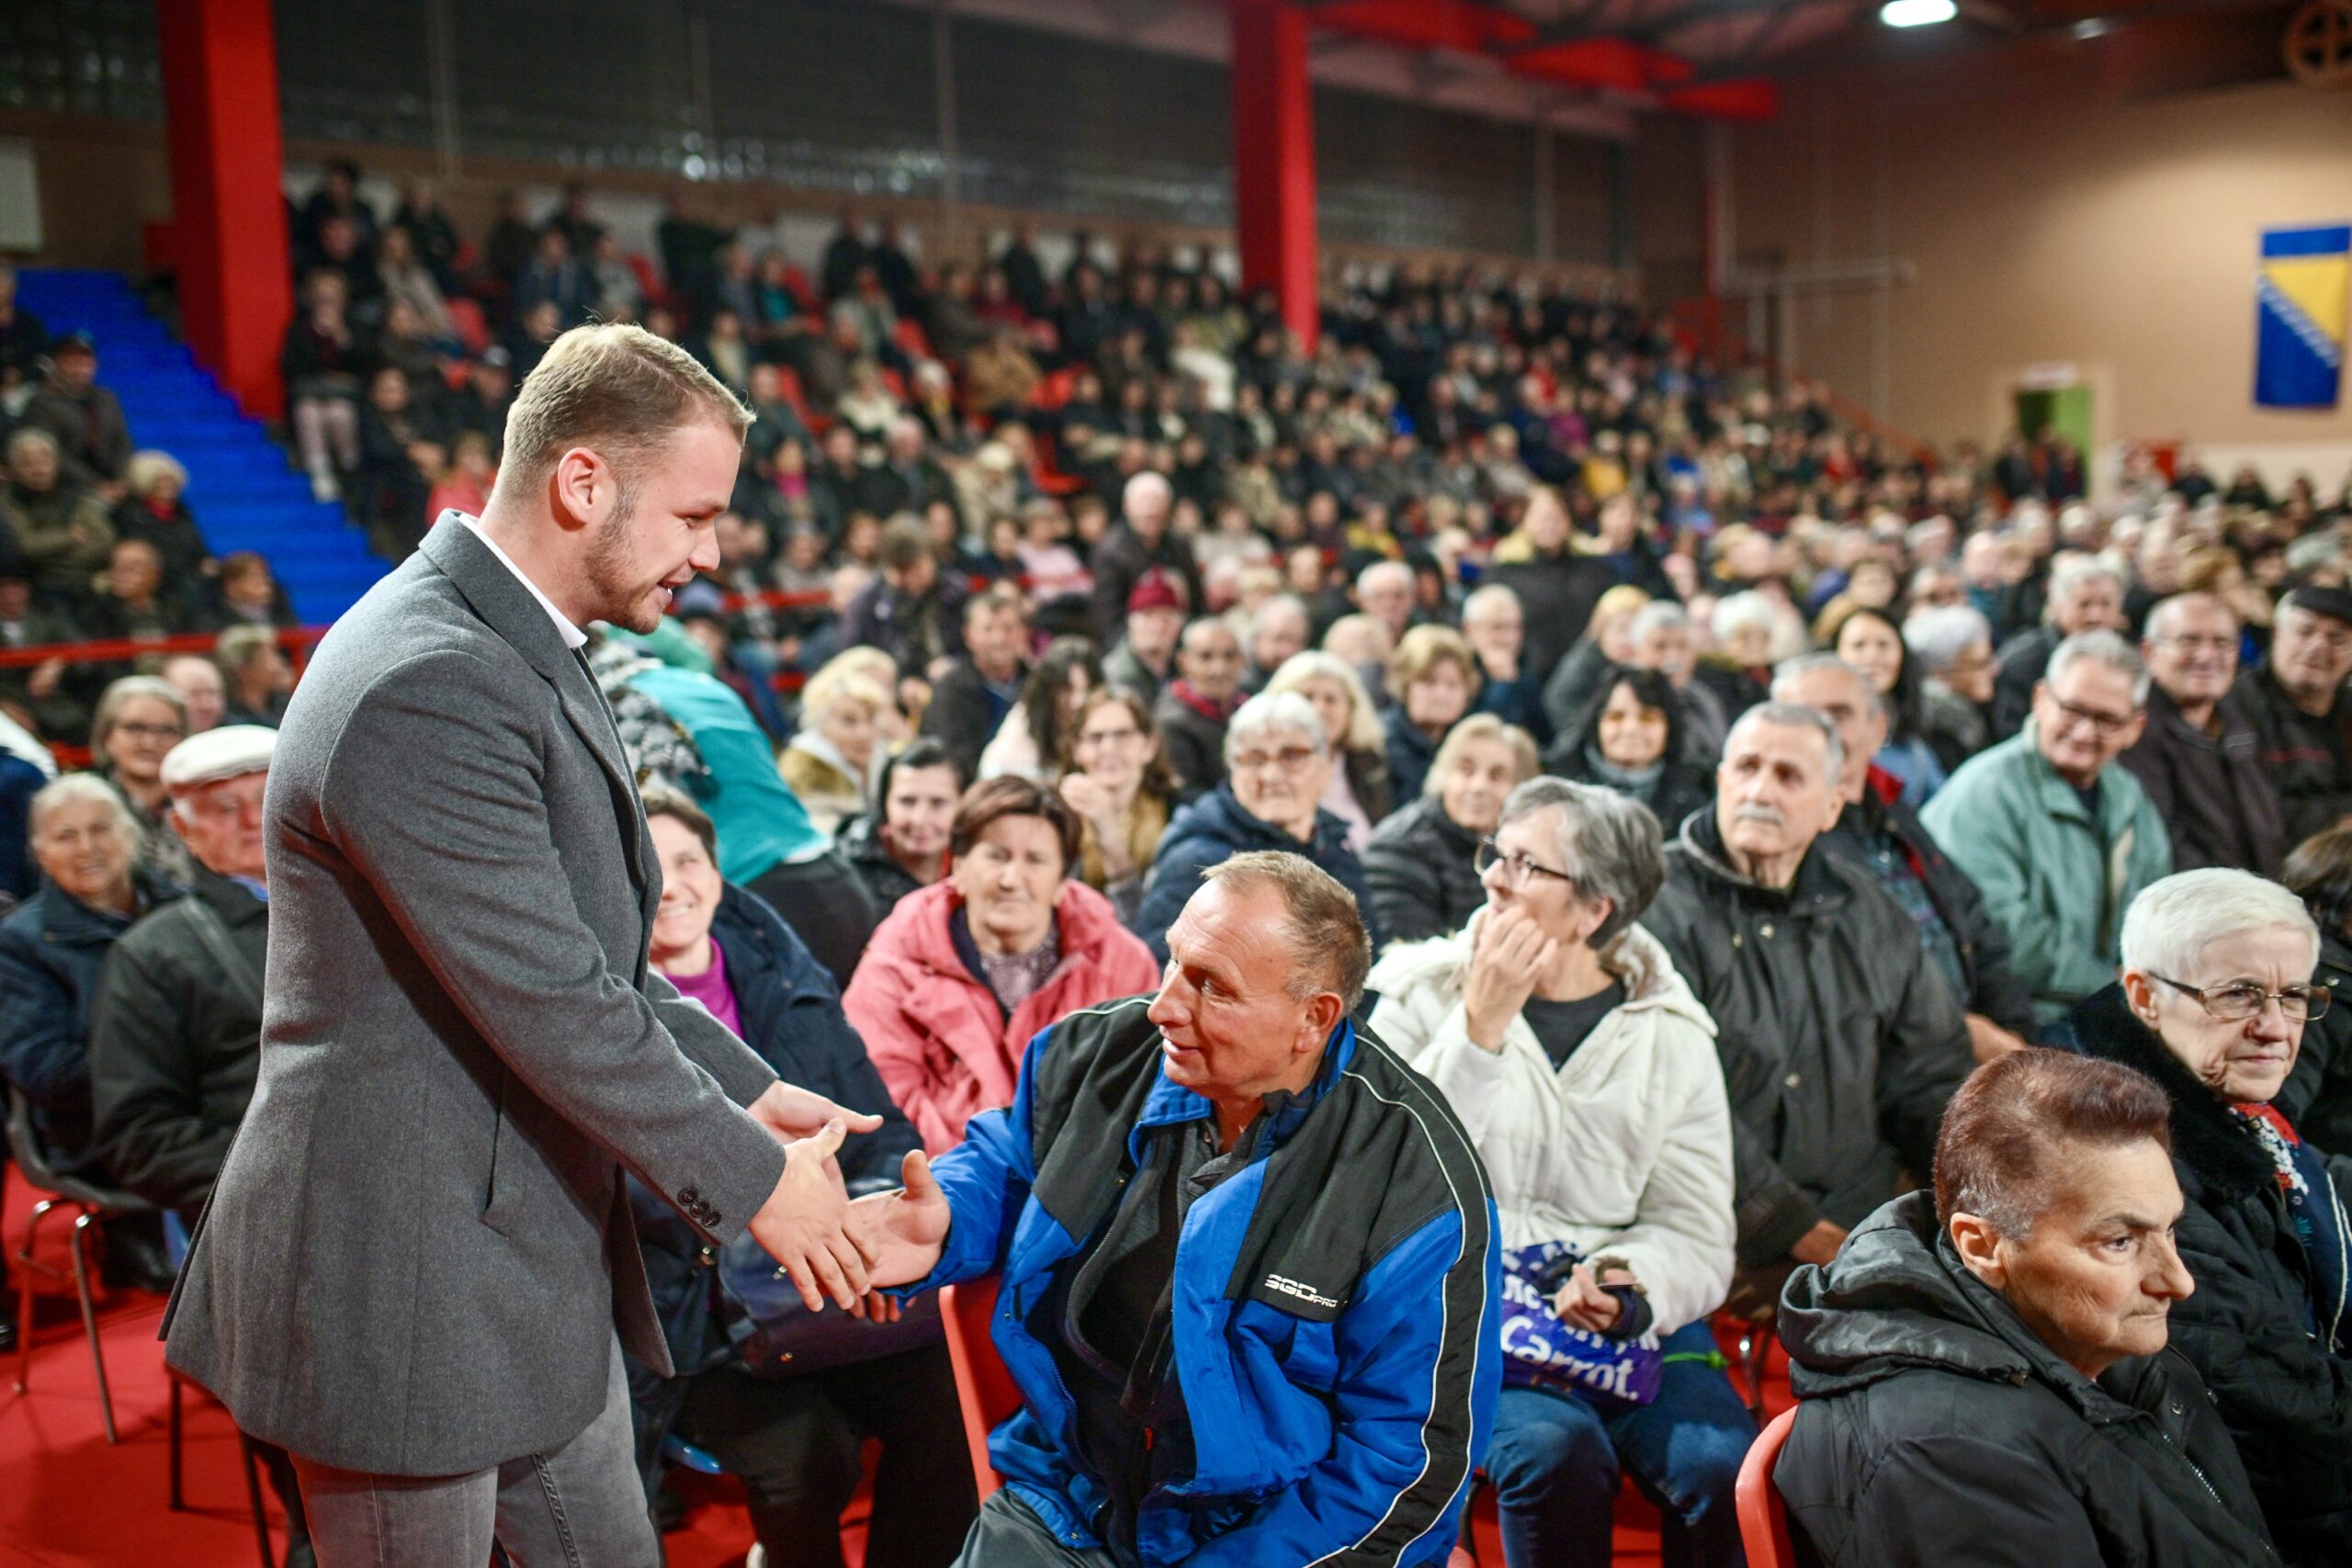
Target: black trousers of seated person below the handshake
{"points": [[794, 1442]]}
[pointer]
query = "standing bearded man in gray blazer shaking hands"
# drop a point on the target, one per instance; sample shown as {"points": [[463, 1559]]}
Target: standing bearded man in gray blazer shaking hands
{"points": [[420, 1252]]}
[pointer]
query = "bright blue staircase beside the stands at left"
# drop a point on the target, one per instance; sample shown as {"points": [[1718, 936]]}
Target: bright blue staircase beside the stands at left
{"points": [[241, 488]]}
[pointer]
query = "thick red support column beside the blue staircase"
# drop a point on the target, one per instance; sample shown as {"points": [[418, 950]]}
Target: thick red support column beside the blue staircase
{"points": [[229, 220]]}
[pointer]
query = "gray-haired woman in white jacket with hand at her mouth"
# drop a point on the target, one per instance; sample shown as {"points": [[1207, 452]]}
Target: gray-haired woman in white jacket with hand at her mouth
{"points": [[1586, 1073]]}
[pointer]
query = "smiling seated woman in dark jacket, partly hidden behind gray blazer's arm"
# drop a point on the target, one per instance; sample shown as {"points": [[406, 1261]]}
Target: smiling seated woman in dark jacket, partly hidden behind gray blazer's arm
{"points": [[794, 1440]]}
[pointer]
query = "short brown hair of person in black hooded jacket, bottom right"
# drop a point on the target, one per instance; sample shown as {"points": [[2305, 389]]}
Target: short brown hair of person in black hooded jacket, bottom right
{"points": [[2007, 1127]]}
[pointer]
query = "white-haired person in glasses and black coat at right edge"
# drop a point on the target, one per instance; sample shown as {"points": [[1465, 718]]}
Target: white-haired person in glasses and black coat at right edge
{"points": [[2212, 1005]]}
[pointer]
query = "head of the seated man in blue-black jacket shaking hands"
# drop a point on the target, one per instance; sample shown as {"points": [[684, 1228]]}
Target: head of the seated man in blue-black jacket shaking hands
{"points": [[1229, 1021]]}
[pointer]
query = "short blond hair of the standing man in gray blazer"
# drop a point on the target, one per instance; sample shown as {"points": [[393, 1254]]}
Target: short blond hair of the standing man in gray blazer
{"points": [[615, 389]]}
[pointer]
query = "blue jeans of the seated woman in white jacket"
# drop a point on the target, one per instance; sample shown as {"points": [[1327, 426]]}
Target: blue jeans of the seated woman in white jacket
{"points": [[1556, 1466]]}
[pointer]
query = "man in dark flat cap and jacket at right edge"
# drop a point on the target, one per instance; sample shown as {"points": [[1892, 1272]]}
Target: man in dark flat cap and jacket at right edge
{"points": [[2299, 713]]}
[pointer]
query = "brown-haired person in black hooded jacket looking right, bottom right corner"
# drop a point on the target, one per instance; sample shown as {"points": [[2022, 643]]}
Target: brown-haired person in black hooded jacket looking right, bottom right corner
{"points": [[1984, 1372]]}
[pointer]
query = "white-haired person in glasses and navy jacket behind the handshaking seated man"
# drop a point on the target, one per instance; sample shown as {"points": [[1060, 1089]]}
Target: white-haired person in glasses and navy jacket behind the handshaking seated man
{"points": [[1278, 768]]}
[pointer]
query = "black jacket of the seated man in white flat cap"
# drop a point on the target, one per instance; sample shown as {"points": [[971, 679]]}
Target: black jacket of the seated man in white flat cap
{"points": [[175, 1045]]}
